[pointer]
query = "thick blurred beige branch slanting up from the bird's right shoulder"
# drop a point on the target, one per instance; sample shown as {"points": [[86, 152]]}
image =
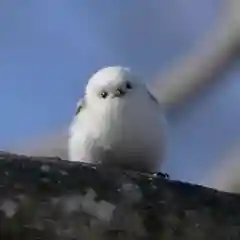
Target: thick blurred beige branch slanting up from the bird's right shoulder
{"points": [[195, 71]]}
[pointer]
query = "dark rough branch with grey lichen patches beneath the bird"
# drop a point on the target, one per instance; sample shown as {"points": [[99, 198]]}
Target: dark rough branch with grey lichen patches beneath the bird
{"points": [[44, 198]]}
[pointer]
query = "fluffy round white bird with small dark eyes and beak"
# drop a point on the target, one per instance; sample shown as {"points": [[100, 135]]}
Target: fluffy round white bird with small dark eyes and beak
{"points": [[118, 123]]}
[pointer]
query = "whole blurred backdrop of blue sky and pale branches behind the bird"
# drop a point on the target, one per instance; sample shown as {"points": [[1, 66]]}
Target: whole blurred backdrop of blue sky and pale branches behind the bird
{"points": [[188, 52]]}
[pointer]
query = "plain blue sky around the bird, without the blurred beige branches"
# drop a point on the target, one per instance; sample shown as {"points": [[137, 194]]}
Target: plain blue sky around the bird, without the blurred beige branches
{"points": [[49, 48]]}
